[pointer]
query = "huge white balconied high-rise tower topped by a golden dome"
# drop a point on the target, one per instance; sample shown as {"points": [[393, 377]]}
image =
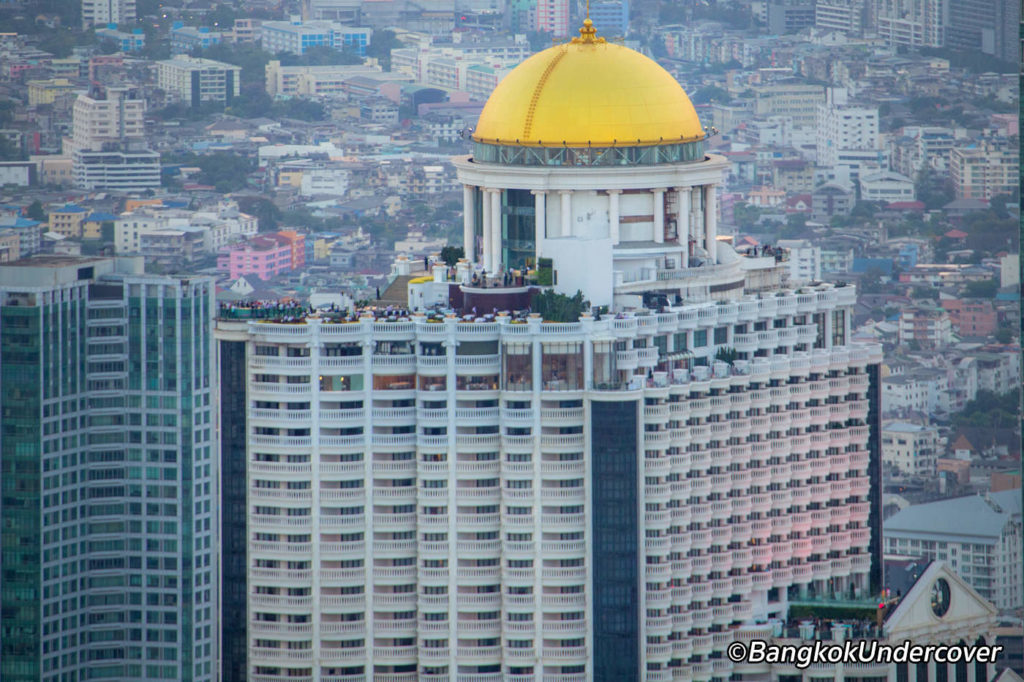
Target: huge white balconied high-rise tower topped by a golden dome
{"points": [[453, 496]]}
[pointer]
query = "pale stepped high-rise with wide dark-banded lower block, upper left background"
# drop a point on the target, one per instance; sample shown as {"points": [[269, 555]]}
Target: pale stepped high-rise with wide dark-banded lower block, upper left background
{"points": [[108, 144]]}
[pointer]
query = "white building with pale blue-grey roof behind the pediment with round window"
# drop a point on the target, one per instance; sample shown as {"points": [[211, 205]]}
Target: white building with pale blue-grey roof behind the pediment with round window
{"points": [[978, 536]]}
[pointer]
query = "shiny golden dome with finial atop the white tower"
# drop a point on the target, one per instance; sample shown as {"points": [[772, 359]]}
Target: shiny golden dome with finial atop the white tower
{"points": [[588, 93]]}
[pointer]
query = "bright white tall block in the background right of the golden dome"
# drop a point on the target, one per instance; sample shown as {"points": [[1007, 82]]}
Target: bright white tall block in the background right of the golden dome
{"points": [[845, 132]]}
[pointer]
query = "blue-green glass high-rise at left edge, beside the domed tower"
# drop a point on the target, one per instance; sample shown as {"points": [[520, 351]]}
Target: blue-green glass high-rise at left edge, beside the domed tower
{"points": [[108, 519]]}
